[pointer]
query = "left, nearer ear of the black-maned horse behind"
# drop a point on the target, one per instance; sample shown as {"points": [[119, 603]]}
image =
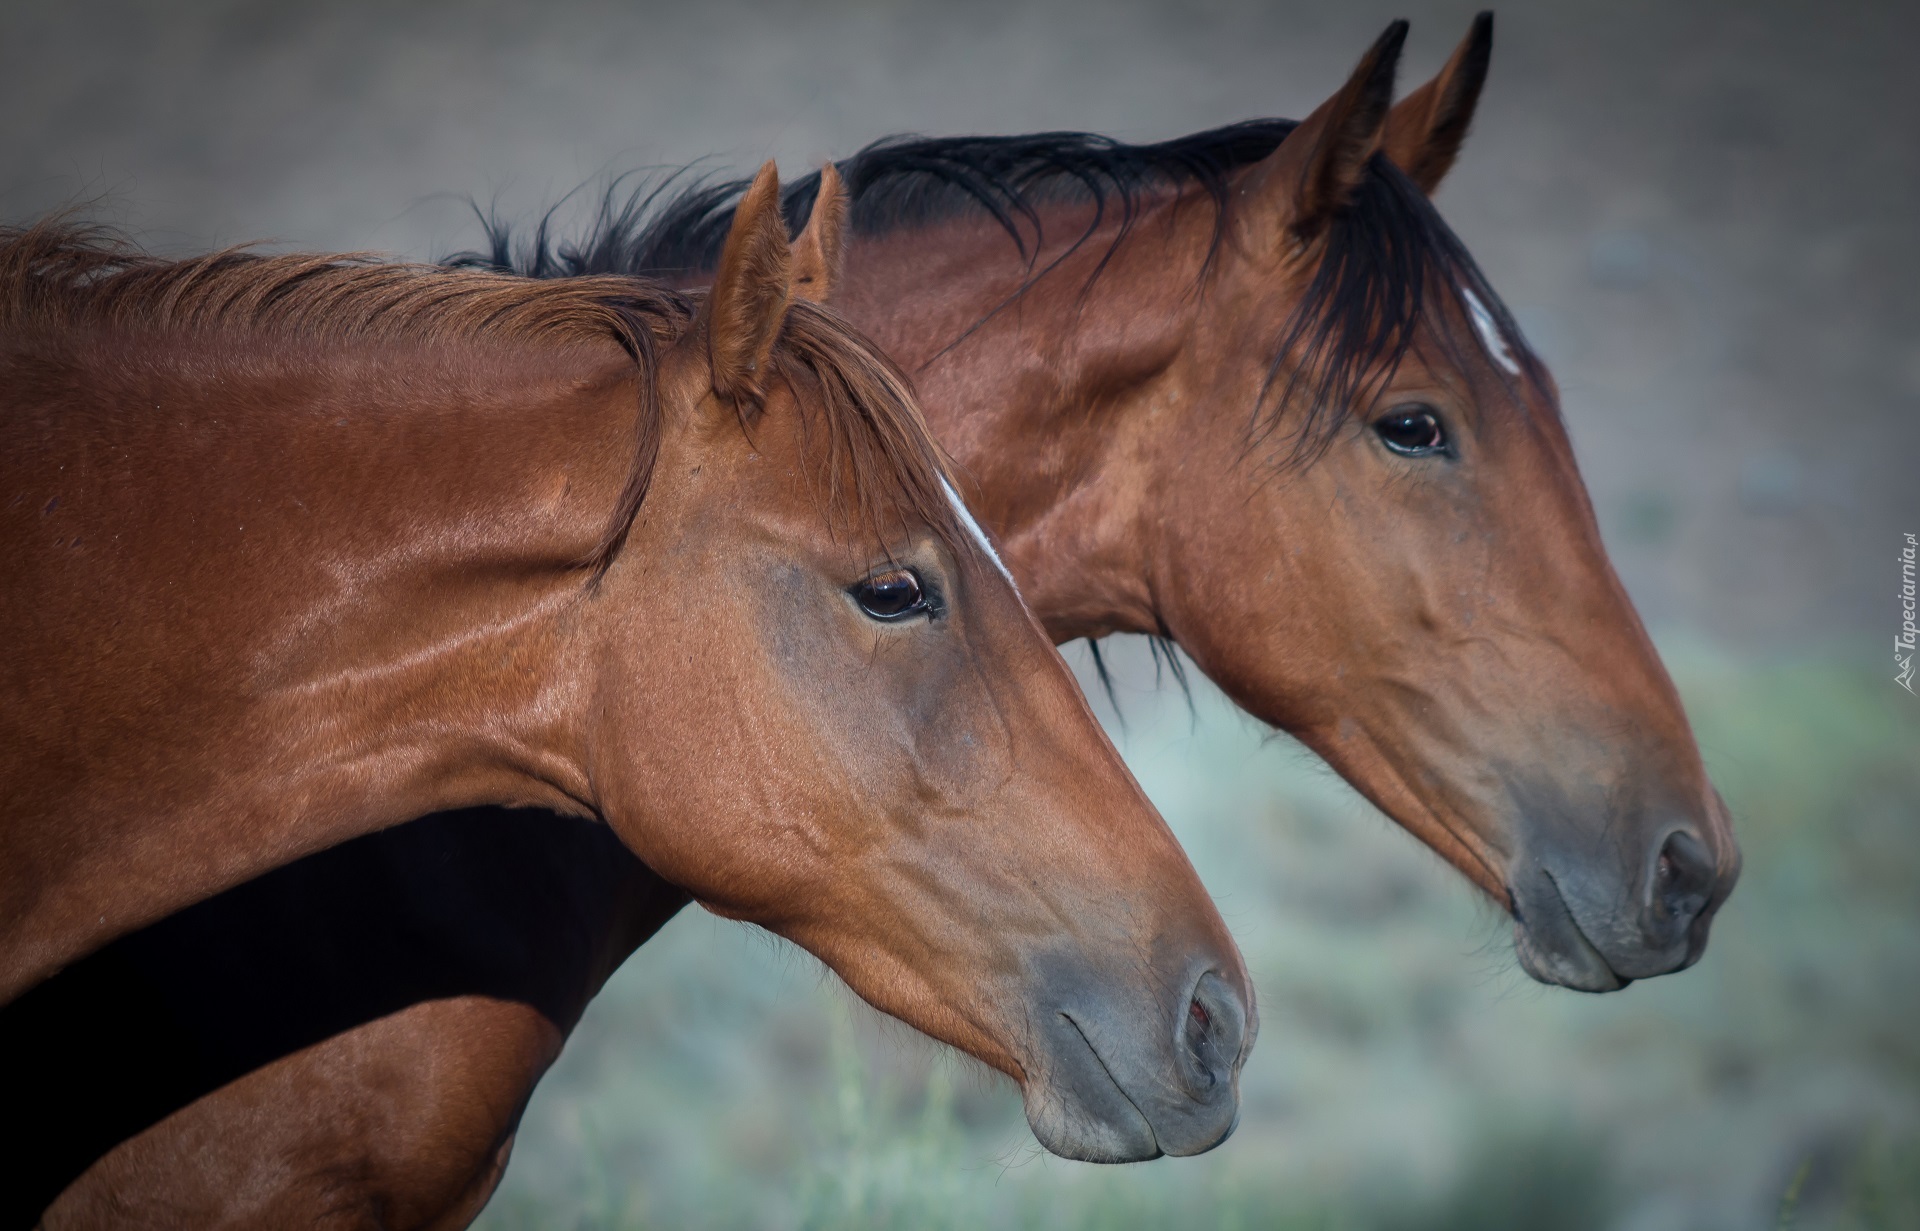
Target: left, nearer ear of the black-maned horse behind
{"points": [[1324, 162]]}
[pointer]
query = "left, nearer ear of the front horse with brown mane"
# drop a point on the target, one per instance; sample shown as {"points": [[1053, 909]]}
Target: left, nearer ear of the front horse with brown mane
{"points": [[752, 291]]}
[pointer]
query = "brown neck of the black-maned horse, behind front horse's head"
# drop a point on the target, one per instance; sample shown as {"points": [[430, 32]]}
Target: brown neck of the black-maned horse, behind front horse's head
{"points": [[1040, 397]]}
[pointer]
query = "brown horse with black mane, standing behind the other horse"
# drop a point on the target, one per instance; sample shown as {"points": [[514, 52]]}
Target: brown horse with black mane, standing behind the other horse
{"points": [[1243, 391]]}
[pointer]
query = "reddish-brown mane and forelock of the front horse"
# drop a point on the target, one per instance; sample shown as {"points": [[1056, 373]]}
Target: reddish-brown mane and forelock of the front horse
{"points": [[886, 471]]}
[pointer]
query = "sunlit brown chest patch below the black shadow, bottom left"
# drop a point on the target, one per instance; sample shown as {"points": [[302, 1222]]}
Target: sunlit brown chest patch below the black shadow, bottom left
{"points": [[427, 1161]]}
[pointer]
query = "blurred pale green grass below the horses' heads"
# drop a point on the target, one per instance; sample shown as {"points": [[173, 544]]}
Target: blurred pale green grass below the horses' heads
{"points": [[1408, 1078]]}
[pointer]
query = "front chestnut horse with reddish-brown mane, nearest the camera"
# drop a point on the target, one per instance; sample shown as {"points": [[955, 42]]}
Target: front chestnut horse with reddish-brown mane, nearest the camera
{"points": [[308, 546]]}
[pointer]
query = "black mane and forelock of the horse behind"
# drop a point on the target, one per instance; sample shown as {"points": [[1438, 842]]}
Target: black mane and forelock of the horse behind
{"points": [[1381, 256]]}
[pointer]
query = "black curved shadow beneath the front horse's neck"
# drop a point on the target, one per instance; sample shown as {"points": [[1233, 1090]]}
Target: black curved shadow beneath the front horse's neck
{"points": [[514, 905]]}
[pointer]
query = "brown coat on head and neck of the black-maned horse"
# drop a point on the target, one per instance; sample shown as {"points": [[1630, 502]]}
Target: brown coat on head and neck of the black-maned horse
{"points": [[1441, 637]]}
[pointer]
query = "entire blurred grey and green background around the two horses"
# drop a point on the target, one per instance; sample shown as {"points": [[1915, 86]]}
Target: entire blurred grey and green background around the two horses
{"points": [[1704, 218]]}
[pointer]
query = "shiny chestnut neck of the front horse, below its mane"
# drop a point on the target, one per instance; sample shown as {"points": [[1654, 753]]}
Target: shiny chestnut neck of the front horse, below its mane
{"points": [[345, 573]]}
